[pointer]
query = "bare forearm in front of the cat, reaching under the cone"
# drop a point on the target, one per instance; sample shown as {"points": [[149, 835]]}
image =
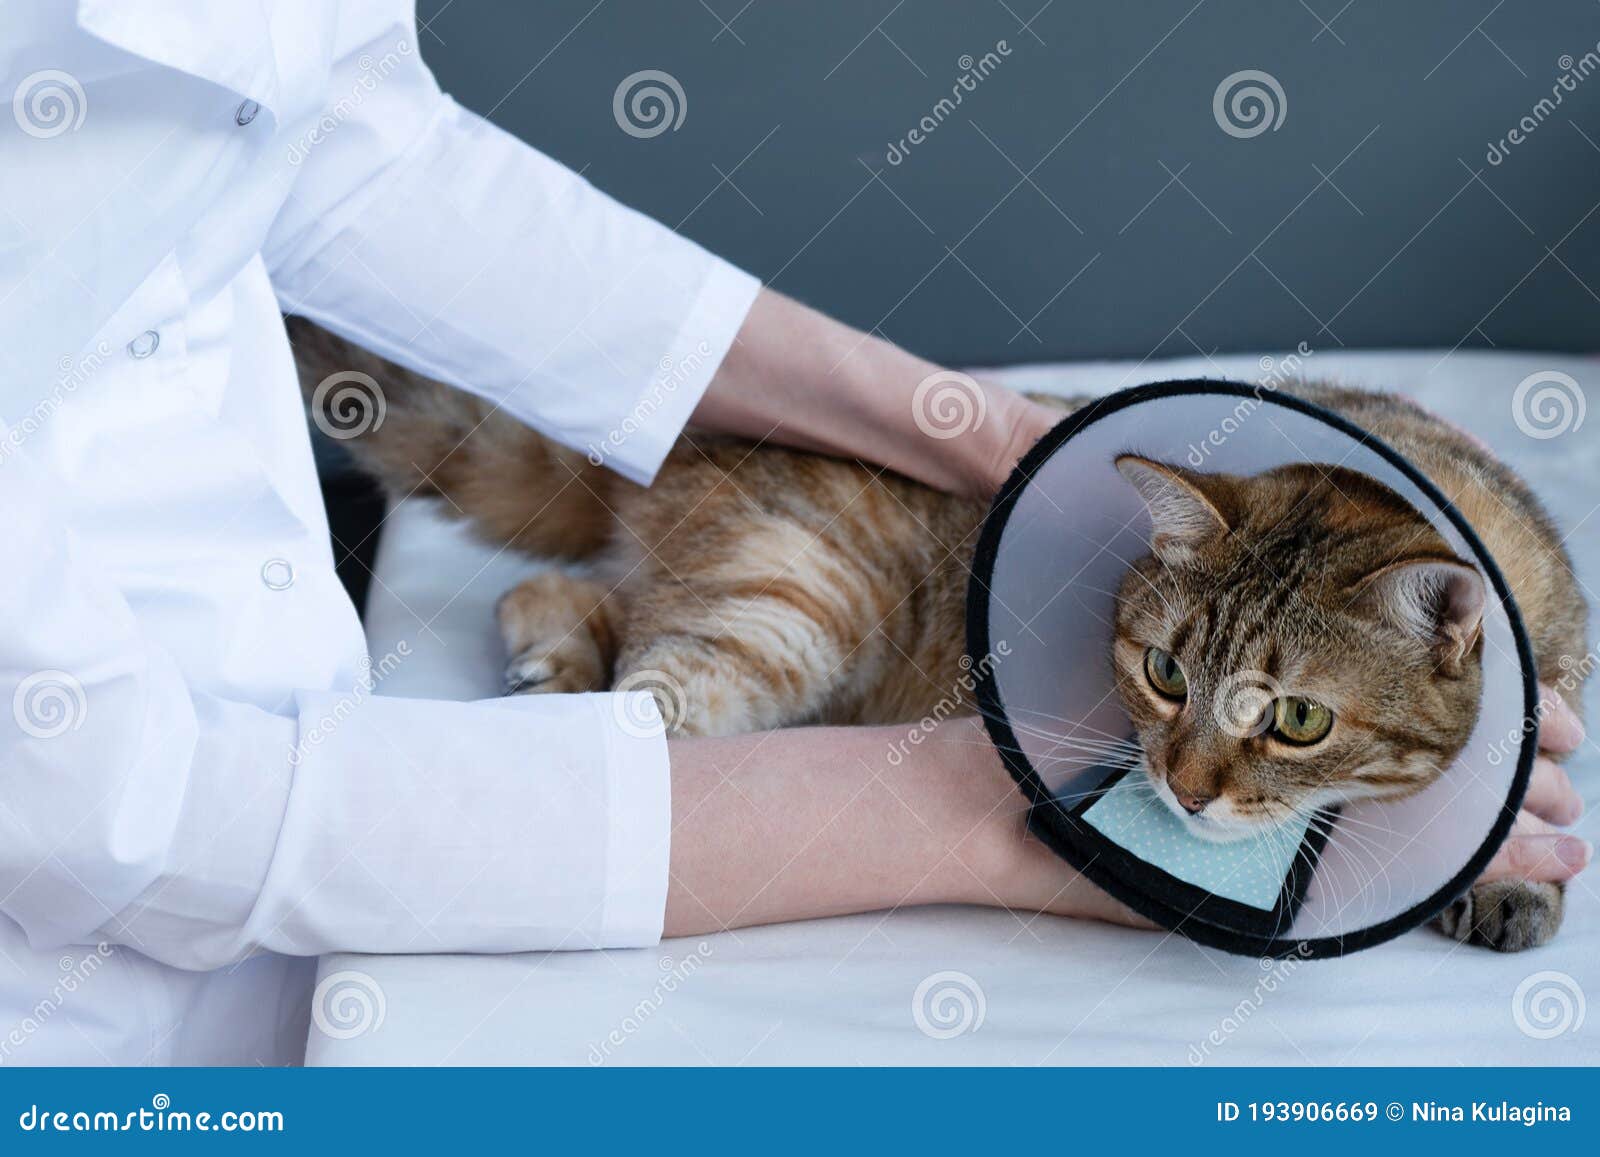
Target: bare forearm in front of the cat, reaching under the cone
{"points": [[822, 822]]}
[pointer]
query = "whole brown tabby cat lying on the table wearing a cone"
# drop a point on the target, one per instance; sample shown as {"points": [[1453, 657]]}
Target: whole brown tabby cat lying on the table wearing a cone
{"points": [[756, 587]]}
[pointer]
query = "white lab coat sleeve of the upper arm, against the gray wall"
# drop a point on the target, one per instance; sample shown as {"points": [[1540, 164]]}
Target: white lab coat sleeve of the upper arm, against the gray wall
{"points": [[420, 231]]}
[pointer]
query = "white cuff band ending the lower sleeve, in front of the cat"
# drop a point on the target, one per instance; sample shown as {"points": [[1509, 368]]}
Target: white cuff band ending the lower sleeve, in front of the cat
{"points": [[639, 843]]}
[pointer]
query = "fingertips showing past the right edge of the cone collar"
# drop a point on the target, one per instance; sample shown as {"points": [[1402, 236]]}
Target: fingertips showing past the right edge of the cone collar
{"points": [[1537, 849]]}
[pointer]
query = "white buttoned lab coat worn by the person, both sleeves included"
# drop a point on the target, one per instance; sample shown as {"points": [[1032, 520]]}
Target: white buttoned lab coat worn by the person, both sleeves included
{"points": [[193, 772]]}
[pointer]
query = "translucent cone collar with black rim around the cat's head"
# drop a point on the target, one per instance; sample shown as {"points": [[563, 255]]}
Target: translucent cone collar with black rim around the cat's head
{"points": [[1049, 561]]}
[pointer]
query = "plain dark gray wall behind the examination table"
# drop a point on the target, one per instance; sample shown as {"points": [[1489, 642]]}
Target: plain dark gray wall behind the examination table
{"points": [[1180, 236]]}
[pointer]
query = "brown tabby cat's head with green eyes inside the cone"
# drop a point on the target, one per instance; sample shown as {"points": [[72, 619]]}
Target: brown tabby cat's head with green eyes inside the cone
{"points": [[1295, 639]]}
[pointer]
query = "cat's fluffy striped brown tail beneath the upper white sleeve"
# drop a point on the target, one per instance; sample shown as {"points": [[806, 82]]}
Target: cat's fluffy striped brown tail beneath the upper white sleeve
{"points": [[422, 438]]}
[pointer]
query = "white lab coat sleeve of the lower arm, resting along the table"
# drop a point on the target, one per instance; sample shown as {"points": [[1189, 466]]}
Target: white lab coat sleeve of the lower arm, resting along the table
{"points": [[199, 830]]}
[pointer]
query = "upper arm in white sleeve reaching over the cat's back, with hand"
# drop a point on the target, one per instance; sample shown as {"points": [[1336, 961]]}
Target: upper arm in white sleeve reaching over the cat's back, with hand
{"points": [[580, 316]]}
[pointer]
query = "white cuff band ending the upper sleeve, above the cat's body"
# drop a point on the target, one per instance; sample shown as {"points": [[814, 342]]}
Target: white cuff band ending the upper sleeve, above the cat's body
{"points": [[646, 436]]}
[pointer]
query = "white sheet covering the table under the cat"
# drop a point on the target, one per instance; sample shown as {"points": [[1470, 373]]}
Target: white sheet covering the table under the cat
{"points": [[1052, 991]]}
